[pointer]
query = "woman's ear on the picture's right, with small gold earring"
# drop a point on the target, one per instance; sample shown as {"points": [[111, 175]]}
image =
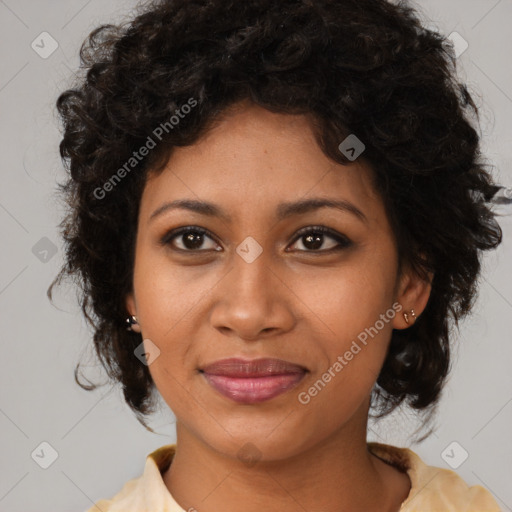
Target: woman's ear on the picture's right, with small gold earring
{"points": [[413, 293]]}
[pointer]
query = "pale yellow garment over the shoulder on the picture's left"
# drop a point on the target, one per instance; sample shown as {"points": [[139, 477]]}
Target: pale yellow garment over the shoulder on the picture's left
{"points": [[146, 492]]}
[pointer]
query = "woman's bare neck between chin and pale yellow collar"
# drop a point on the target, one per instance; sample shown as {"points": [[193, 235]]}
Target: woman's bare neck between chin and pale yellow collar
{"points": [[337, 474]]}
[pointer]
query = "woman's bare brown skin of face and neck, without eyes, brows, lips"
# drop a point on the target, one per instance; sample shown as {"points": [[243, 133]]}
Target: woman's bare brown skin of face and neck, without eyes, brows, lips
{"points": [[294, 302]]}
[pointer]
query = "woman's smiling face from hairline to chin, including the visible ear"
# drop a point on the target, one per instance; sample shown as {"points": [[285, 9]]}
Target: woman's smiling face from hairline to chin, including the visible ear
{"points": [[251, 277]]}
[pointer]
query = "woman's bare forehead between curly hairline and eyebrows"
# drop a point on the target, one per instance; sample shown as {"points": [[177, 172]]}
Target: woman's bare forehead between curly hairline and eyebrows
{"points": [[258, 158]]}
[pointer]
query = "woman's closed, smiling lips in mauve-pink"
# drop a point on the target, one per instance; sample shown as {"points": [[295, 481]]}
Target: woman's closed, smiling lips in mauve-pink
{"points": [[253, 381]]}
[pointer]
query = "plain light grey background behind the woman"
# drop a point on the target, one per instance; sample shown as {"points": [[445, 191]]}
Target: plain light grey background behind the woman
{"points": [[100, 444]]}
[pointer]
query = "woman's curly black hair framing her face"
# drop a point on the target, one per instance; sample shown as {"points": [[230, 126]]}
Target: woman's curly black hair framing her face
{"points": [[364, 67]]}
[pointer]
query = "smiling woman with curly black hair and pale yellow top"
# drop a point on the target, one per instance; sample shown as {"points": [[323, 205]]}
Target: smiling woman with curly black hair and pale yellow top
{"points": [[276, 212]]}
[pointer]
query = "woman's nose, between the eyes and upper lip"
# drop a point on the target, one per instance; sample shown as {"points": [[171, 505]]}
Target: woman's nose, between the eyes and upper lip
{"points": [[253, 302]]}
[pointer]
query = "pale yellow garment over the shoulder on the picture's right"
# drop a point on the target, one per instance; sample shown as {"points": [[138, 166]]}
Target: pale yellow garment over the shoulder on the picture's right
{"points": [[434, 489]]}
